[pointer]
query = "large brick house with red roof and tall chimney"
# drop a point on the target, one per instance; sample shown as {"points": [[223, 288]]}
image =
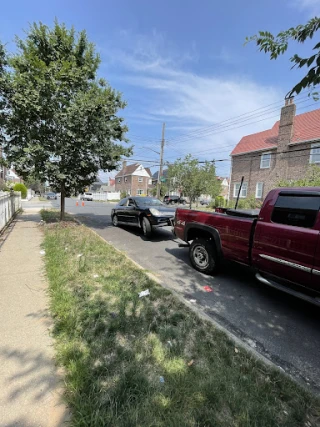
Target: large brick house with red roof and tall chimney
{"points": [[283, 152]]}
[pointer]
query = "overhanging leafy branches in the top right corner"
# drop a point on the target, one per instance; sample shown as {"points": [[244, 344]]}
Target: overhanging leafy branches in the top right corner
{"points": [[278, 45]]}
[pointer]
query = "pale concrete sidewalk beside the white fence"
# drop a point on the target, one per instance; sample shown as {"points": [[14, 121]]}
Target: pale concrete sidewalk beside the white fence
{"points": [[30, 385]]}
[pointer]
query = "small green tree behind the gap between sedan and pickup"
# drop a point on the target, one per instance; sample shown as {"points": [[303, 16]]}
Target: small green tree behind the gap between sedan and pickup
{"points": [[193, 178]]}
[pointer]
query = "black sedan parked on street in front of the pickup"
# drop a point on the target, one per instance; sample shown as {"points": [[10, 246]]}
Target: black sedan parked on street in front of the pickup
{"points": [[143, 212]]}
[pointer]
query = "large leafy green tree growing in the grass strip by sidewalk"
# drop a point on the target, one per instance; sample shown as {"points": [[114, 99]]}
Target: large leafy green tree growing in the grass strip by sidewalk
{"points": [[61, 124]]}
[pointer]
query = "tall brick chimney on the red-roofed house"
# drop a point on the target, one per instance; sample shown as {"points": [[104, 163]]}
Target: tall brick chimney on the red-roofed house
{"points": [[286, 125]]}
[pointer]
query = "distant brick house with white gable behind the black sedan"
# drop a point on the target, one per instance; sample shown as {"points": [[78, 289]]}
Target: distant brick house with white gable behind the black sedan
{"points": [[134, 179]]}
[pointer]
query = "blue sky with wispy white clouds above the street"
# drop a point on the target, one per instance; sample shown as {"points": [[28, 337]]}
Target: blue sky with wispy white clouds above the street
{"points": [[183, 62]]}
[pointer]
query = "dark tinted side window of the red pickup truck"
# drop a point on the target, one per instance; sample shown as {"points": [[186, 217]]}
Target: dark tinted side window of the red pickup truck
{"points": [[299, 211]]}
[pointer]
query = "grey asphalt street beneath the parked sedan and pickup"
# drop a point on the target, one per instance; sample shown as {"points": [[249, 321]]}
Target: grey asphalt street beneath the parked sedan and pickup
{"points": [[280, 327]]}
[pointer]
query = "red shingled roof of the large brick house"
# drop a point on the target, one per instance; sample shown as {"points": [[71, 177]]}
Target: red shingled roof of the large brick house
{"points": [[306, 127]]}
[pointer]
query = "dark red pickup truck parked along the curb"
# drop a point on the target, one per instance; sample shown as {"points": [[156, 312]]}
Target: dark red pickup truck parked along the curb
{"points": [[281, 241]]}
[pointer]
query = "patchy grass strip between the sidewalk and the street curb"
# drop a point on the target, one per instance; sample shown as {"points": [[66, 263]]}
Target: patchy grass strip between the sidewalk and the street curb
{"points": [[150, 361]]}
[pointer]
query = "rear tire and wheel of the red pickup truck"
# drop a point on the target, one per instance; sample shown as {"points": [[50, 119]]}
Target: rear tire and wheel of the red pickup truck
{"points": [[203, 256]]}
